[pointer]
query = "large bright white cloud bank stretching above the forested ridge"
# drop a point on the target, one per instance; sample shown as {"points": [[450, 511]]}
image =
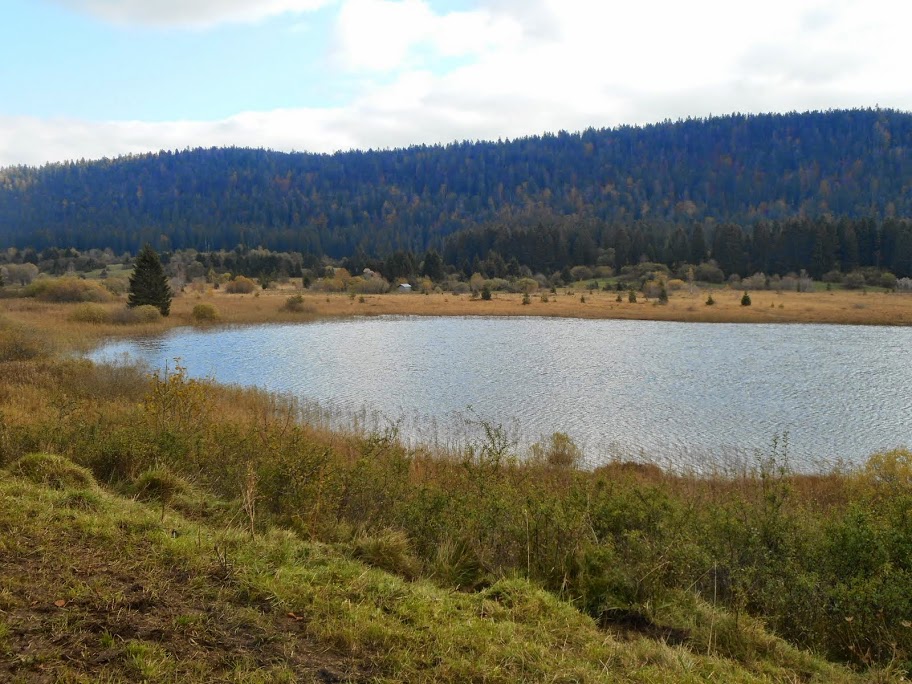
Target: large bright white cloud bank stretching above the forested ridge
{"points": [[541, 65]]}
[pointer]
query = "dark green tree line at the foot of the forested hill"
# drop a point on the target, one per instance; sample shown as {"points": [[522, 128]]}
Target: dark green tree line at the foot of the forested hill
{"points": [[822, 247]]}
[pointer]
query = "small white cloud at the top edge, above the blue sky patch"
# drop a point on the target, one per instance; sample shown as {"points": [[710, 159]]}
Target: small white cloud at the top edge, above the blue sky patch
{"points": [[189, 13]]}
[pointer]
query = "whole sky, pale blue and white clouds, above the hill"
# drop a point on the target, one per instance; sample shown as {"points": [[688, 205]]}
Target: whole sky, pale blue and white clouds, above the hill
{"points": [[85, 79]]}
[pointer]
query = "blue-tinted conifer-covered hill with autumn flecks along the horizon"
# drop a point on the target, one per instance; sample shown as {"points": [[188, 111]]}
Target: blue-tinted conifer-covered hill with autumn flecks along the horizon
{"points": [[736, 168]]}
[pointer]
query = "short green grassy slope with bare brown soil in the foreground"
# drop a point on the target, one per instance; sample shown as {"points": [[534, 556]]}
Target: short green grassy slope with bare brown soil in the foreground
{"points": [[97, 587]]}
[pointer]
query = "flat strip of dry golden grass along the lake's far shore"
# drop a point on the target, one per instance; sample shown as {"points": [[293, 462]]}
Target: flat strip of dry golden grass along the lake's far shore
{"points": [[846, 307]]}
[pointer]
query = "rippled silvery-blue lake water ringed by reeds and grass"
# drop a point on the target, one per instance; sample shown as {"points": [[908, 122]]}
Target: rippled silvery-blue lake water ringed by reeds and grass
{"points": [[686, 394]]}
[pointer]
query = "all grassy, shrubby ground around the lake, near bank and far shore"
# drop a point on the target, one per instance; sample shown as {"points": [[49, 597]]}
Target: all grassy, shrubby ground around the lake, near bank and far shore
{"points": [[197, 529]]}
